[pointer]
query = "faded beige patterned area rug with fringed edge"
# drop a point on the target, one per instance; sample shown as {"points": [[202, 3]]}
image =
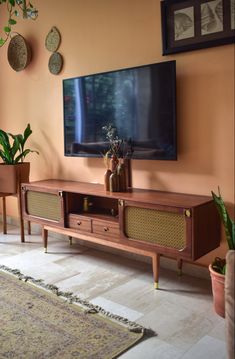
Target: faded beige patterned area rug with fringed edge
{"points": [[40, 321]]}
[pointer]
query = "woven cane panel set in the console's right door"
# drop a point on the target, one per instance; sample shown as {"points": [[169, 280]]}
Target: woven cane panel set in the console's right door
{"points": [[163, 228]]}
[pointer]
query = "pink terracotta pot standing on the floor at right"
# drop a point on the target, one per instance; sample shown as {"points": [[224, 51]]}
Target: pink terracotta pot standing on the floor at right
{"points": [[217, 281]]}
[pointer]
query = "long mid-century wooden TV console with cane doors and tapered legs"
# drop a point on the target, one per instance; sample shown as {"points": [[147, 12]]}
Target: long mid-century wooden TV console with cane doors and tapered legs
{"points": [[146, 222]]}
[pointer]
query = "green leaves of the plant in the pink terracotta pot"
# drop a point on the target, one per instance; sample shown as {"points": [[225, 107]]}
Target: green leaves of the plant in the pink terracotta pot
{"points": [[219, 264]]}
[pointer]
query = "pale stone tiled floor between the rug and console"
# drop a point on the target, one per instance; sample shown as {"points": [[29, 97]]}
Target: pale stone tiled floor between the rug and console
{"points": [[180, 311]]}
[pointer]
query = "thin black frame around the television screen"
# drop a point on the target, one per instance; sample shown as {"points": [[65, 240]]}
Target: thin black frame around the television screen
{"points": [[174, 121]]}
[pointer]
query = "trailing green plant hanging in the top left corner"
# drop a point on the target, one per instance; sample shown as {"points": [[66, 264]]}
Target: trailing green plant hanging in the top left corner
{"points": [[14, 9]]}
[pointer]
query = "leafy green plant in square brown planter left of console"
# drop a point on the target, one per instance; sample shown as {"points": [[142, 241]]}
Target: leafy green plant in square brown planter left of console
{"points": [[14, 170]]}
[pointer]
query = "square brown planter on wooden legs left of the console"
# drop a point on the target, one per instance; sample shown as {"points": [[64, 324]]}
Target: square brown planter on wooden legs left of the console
{"points": [[12, 175]]}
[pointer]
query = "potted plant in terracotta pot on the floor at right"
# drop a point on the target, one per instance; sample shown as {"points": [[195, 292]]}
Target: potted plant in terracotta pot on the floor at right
{"points": [[218, 267]]}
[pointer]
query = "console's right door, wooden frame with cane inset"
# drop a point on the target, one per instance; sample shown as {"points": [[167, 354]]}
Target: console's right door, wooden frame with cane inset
{"points": [[168, 230]]}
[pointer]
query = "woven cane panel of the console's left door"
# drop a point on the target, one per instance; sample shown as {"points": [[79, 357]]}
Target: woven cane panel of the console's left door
{"points": [[44, 205]]}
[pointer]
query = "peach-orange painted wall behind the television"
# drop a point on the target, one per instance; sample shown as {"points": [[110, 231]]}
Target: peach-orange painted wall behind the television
{"points": [[105, 35]]}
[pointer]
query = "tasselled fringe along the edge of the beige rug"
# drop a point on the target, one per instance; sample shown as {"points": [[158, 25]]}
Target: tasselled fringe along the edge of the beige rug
{"points": [[71, 298]]}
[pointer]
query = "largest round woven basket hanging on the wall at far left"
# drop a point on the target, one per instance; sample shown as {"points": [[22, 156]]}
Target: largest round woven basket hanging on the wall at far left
{"points": [[19, 53]]}
